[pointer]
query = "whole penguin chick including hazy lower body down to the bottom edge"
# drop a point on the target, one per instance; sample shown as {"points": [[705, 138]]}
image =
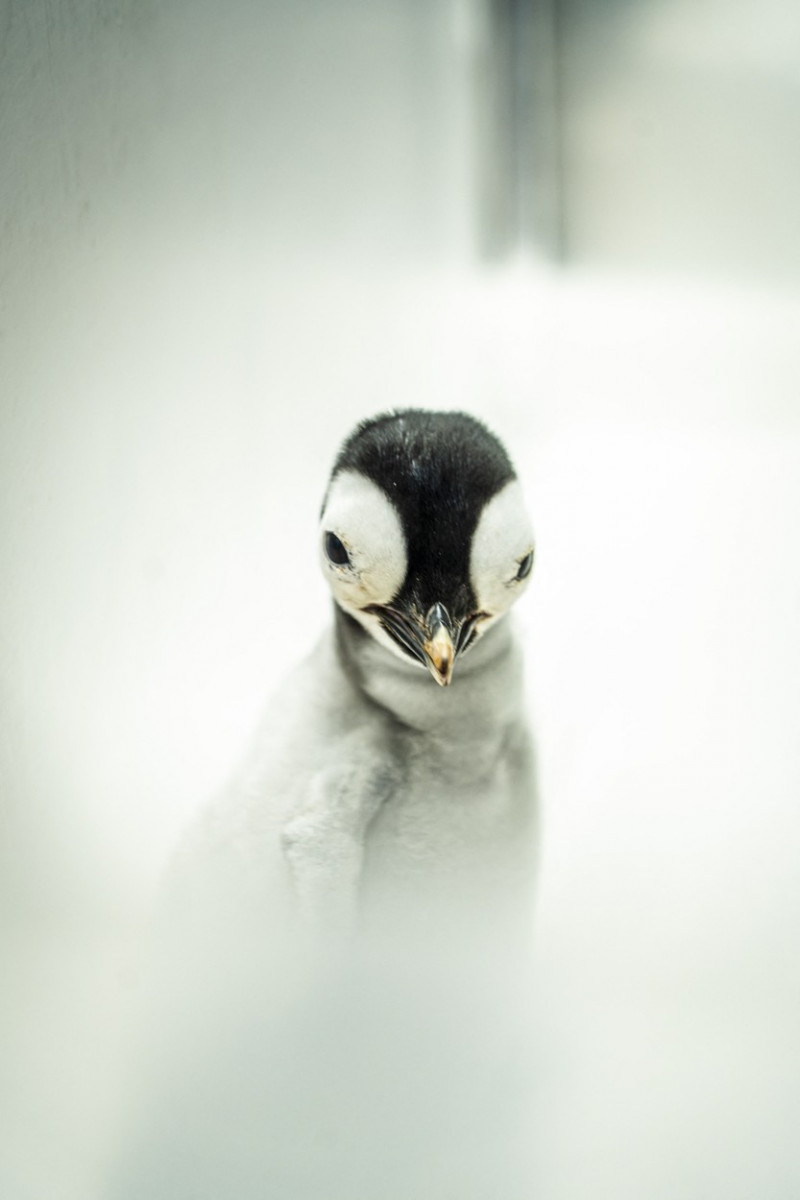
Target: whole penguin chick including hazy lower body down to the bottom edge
{"points": [[340, 1010]]}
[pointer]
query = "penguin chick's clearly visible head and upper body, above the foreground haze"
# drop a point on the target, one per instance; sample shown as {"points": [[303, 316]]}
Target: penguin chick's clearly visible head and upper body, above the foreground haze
{"points": [[394, 775]]}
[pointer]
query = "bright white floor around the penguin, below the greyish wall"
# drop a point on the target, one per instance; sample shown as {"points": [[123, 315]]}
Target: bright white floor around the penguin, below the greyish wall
{"points": [[161, 578]]}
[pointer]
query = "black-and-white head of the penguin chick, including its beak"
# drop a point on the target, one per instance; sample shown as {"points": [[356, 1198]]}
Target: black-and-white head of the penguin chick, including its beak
{"points": [[425, 538]]}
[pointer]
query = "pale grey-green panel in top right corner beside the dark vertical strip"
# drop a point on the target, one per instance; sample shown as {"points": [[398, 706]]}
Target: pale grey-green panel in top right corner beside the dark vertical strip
{"points": [[679, 136]]}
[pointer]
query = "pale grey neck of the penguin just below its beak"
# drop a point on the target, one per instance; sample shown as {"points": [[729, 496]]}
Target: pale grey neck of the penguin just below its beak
{"points": [[485, 693]]}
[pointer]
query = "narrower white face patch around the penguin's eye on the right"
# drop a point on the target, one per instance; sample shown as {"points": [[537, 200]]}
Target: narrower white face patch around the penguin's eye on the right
{"points": [[503, 539]]}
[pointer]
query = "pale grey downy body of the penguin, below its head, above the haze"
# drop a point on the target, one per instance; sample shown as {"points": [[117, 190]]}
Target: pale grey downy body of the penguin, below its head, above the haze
{"points": [[372, 796]]}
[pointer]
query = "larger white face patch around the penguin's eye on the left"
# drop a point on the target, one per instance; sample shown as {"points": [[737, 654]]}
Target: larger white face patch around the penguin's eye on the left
{"points": [[368, 525]]}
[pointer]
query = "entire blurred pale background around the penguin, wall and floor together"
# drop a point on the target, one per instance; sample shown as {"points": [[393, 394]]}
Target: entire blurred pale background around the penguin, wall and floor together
{"points": [[232, 230]]}
